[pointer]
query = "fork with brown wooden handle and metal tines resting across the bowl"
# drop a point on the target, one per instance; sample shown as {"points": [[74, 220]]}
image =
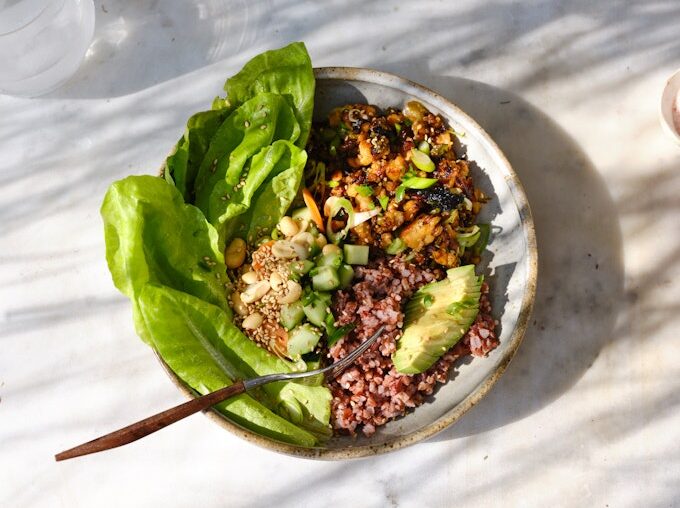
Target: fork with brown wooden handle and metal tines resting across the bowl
{"points": [[158, 421]]}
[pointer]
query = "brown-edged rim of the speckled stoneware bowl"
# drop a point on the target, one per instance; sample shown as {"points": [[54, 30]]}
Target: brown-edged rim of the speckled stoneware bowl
{"points": [[426, 432]]}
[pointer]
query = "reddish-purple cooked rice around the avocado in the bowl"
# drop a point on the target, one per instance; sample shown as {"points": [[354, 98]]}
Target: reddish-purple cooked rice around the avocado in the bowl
{"points": [[372, 392]]}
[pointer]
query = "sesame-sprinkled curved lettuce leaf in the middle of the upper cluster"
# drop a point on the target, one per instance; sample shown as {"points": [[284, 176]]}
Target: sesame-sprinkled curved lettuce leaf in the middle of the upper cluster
{"points": [[251, 127]]}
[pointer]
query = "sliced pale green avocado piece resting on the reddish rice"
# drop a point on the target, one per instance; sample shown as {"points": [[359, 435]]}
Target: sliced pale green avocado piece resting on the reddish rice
{"points": [[436, 318]]}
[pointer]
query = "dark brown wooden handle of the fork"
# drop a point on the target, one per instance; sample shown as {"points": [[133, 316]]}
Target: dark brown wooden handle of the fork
{"points": [[152, 424]]}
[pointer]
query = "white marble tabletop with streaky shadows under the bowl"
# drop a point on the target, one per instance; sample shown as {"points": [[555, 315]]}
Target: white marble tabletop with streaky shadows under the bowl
{"points": [[588, 413]]}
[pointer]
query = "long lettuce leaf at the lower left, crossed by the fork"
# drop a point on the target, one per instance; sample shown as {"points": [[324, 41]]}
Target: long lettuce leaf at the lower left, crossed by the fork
{"points": [[202, 345]]}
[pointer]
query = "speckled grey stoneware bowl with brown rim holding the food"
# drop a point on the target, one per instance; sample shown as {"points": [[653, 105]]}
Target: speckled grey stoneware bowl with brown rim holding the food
{"points": [[510, 264]]}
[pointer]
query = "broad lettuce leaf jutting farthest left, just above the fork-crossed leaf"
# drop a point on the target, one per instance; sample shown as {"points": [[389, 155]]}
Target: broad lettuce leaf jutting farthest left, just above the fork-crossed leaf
{"points": [[153, 236]]}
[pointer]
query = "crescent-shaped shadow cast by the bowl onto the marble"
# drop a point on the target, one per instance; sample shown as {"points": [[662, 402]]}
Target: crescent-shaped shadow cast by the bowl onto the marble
{"points": [[580, 284]]}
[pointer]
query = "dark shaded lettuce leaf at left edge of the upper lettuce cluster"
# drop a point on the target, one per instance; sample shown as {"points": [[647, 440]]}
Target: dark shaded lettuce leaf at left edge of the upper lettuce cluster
{"points": [[181, 167]]}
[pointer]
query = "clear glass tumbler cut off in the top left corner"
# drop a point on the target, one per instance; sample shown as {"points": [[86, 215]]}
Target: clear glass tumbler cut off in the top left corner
{"points": [[42, 43]]}
